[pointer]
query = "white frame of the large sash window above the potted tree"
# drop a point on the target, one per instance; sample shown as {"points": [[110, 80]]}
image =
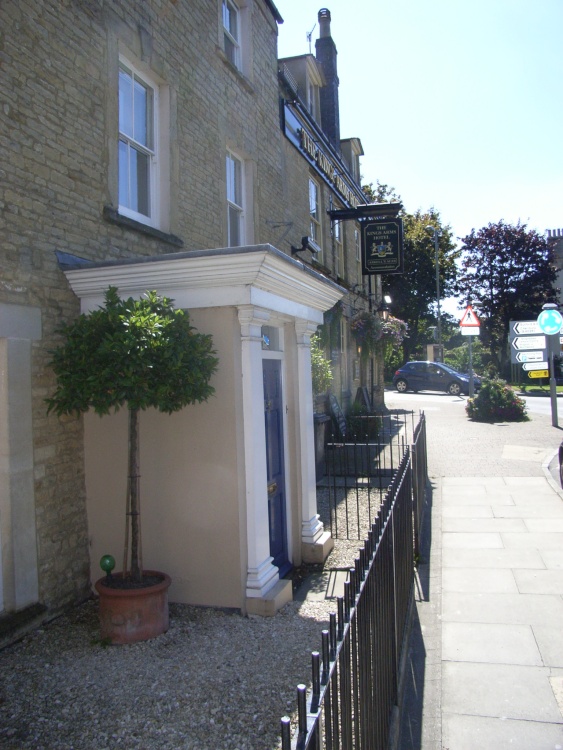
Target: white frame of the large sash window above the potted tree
{"points": [[150, 149]]}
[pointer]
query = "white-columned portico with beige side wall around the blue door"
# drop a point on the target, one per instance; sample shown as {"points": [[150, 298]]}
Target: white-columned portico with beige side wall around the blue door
{"points": [[228, 487]]}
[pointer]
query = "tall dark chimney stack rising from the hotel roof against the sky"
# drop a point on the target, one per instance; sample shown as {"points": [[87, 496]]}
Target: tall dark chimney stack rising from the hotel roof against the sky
{"points": [[326, 55]]}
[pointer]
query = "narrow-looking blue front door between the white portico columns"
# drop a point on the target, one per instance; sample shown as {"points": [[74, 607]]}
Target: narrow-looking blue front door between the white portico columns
{"points": [[275, 464]]}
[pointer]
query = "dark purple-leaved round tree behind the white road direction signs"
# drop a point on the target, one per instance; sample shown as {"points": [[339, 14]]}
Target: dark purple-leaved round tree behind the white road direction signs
{"points": [[509, 272]]}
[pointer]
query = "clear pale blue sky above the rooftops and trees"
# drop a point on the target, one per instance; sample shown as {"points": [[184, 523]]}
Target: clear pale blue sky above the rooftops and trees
{"points": [[459, 105]]}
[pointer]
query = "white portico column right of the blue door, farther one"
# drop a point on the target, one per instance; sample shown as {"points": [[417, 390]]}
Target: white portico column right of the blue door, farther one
{"points": [[316, 543]]}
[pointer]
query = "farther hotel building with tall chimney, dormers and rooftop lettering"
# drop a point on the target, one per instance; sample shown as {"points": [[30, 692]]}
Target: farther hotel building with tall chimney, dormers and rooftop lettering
{"points": [[330, 165]]}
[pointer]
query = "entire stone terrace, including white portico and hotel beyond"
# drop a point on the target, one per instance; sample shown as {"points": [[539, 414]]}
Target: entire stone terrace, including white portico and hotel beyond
{"points": [[143, 148]]}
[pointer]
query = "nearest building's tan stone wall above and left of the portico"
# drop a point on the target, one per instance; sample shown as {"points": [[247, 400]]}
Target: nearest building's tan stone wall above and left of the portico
{"points": [[58, 188]]}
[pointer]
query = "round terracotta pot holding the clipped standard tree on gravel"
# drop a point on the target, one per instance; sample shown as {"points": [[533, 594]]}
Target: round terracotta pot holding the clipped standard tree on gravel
{"points": [[131, 615]]}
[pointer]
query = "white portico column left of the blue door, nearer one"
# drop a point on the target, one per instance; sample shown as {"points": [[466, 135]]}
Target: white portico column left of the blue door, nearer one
{"points": [[261, 574]]}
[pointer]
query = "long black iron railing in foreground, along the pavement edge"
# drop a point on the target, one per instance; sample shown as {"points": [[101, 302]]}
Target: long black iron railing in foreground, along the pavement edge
{"points": [[355, 676]]}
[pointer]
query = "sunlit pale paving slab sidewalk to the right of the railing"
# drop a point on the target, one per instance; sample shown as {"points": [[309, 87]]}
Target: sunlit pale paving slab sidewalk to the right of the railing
{"points": [[486, 652]]}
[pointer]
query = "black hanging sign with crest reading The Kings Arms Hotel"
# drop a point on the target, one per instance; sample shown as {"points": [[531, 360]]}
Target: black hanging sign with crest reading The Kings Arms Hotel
{"points": [[382, 246]]}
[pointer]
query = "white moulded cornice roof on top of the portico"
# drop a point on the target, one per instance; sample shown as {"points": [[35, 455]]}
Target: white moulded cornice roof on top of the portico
{"points": [[256, 275]]}
